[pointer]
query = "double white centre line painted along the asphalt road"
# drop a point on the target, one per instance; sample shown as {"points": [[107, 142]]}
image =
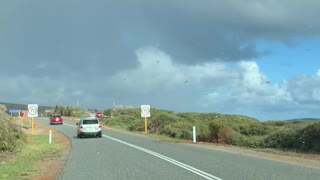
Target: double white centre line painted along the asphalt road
{"points": [[175, 162]]}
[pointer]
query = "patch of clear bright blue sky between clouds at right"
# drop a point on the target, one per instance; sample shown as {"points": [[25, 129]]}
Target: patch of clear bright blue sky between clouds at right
{"points": [[289, 62]]}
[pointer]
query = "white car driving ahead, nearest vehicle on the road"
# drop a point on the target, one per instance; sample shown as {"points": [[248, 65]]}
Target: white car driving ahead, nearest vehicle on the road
{"points": [[89, 126]]}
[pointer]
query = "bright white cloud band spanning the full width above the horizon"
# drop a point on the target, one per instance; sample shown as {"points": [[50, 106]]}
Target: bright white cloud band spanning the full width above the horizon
{"points": [[233, 88]]}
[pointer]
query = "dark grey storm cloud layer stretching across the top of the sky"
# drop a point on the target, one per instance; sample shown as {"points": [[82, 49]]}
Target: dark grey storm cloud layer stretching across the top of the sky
{"points": [[105, 33]]}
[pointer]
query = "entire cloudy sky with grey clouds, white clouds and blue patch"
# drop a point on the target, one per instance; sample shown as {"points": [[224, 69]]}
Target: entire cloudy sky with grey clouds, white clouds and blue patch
{"points": [[250, 57]]}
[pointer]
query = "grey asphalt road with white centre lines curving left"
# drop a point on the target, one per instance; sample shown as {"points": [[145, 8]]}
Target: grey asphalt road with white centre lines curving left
{"points": [[119, 155]]}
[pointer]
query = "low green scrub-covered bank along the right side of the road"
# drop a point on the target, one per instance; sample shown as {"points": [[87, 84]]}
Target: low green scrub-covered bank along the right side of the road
{"points": [[236, 130]]}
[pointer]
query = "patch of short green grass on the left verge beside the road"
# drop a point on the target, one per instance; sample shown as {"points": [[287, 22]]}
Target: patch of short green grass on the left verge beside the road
{"points": [[37, 148]]}
